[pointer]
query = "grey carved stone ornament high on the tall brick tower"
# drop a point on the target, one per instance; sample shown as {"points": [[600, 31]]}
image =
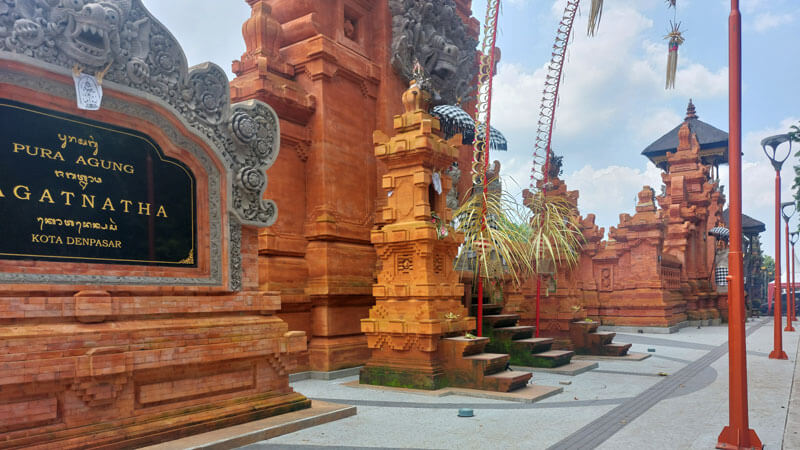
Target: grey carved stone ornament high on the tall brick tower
{"points": [[431, 32]]}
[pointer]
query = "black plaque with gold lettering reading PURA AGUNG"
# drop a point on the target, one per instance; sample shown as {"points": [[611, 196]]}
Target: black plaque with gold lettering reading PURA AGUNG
{"points": [[73, 189]]}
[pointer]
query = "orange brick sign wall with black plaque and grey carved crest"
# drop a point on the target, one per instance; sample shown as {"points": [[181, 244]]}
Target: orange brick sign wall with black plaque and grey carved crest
{"points": [[130, 309]]}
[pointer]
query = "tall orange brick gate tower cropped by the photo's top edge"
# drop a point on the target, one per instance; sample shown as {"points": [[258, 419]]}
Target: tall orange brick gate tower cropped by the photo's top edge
{"points": [[335, 72]]}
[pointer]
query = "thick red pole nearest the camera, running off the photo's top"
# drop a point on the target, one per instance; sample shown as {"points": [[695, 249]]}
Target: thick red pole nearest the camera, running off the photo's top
{"points": [[737, 435]]}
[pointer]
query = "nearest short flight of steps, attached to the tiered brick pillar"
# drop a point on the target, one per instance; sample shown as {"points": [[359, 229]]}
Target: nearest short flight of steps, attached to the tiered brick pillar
{"points": [[466, 365]]}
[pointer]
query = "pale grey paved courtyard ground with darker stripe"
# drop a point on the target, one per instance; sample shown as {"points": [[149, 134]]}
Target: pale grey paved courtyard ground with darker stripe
{"points": [[676, 398]]}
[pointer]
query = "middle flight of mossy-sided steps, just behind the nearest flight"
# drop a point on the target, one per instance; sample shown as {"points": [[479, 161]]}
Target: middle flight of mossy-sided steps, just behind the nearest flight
{"points": [[518, 342]]}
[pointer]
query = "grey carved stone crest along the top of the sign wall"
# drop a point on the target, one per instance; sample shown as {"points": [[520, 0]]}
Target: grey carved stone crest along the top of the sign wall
{"points": [[141, 54]]}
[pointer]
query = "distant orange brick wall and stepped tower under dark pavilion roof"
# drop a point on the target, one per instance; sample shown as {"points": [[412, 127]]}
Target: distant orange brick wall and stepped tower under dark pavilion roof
{"points": [[656, 269]]}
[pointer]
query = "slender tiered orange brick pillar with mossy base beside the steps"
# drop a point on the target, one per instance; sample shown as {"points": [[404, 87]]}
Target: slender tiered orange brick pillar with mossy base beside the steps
{"points": [[418, 292]]}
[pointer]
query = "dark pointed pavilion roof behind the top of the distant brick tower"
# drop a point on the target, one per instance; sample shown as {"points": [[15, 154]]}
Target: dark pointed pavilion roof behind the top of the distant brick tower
{"points": [[713, 141]]}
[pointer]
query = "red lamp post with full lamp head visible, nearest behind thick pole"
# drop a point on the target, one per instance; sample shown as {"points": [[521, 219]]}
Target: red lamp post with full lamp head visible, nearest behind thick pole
{"points": [[773, 143]]}
